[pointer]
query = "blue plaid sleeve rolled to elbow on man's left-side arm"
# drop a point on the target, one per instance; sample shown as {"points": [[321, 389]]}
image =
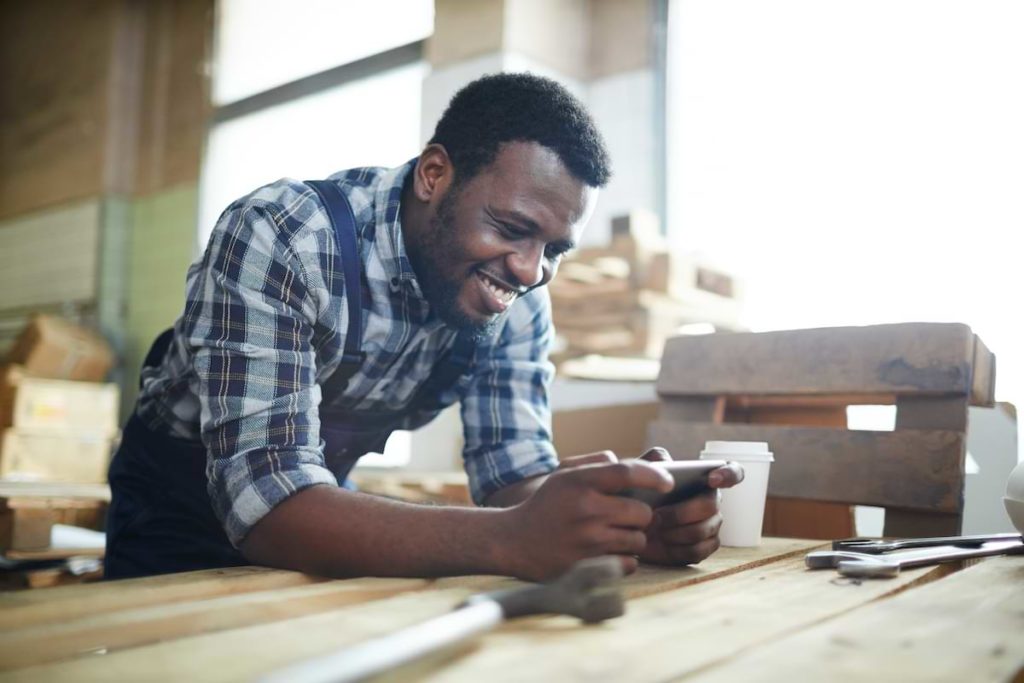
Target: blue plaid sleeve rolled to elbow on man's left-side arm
{"points": [[251, 321]]}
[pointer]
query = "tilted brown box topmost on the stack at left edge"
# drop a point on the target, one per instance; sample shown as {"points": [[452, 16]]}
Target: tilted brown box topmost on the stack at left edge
{"points": [[57, 349]]}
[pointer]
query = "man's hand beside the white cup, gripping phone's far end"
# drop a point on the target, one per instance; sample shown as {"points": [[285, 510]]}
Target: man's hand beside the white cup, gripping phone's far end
{"points": [[688, 533]]}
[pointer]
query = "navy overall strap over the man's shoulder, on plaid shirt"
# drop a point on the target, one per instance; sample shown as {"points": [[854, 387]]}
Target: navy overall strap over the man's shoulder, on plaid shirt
{"points": [[340, 214]]}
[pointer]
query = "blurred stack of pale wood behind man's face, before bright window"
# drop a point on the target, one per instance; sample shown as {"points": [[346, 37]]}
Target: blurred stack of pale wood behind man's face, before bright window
{"points": [[627, 298]]}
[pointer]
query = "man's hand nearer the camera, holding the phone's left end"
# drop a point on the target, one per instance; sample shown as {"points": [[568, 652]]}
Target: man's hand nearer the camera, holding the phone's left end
{"points": [[576, 514]]}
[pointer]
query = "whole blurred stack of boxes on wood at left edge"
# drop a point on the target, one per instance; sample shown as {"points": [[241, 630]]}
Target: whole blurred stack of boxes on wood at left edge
{"points": [[59, 424]]}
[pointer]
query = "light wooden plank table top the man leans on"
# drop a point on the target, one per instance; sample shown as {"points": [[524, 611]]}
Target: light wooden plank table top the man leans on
{"points": [[741, 616]]}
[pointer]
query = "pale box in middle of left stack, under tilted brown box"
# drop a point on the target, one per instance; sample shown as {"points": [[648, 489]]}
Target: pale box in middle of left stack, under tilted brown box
{"points": [[36, 406]]}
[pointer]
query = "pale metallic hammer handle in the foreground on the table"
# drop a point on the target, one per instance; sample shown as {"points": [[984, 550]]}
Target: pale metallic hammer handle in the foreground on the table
{"points": [[379, 655]]}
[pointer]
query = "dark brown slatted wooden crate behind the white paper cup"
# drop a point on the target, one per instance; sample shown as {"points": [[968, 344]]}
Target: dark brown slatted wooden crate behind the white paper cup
{"points": [[792, 390]]}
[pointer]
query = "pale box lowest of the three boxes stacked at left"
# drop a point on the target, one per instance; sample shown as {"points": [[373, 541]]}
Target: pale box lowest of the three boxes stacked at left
{"points": [[55, 457]]}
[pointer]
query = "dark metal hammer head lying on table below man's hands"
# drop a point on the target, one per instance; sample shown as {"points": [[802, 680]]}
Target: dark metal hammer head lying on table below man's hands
{"points": [[591, 591]]}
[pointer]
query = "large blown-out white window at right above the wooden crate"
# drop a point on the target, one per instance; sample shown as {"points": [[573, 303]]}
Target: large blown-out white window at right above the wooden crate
{"points": [[856, 162]]}
